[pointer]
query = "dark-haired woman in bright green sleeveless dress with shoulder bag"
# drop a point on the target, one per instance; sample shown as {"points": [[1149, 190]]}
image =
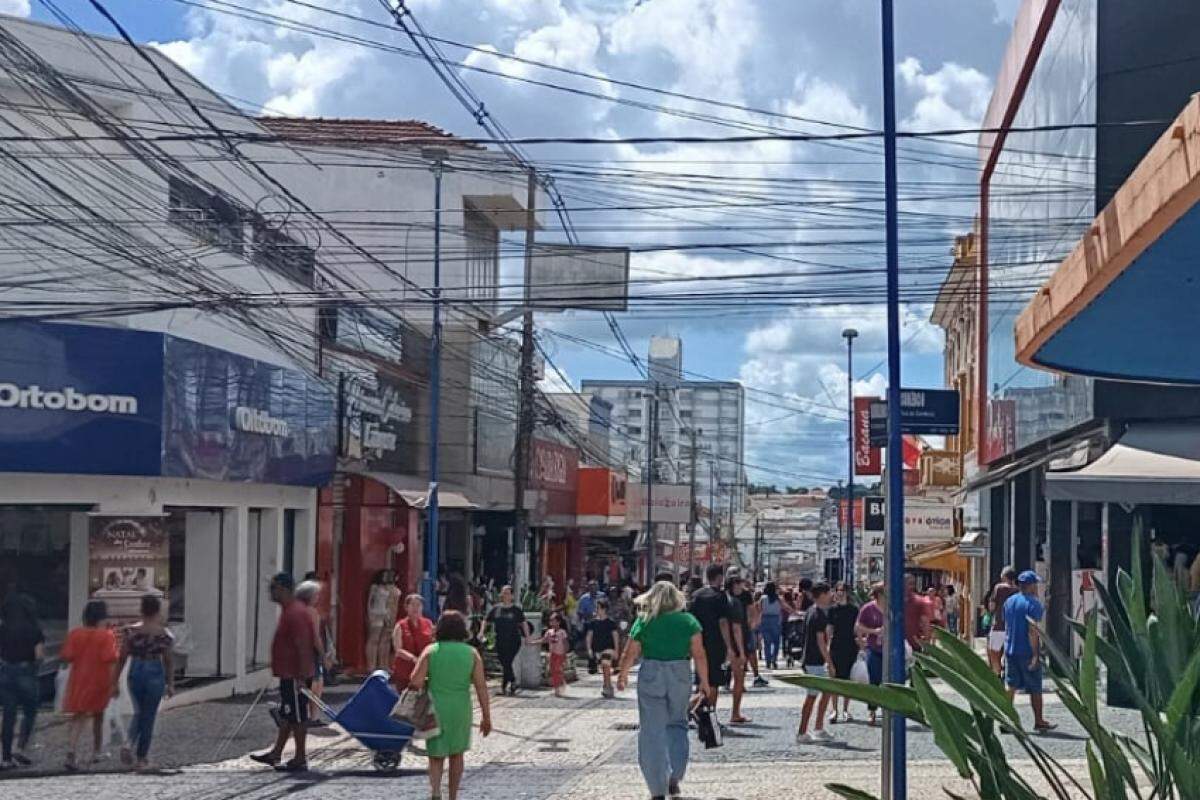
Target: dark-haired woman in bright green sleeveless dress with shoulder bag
{"points": [[448, 670]]}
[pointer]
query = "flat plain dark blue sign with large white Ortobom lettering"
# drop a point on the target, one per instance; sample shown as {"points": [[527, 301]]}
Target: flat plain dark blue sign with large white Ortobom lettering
{"points": [[80, 400]]}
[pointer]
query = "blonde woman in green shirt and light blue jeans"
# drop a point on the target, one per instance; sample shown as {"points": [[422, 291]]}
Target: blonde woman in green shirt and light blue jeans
{"points": [[667, 637]]}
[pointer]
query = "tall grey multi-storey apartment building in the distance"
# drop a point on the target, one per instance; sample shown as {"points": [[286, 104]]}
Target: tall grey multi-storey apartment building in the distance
{"points": [[715, 410]]}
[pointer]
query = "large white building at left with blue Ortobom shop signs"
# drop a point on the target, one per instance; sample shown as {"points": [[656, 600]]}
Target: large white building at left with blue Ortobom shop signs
{"points": [[221, 276]]}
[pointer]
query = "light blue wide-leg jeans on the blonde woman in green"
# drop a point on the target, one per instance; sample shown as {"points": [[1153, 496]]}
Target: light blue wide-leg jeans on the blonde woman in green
{"points": [[664, 690]]}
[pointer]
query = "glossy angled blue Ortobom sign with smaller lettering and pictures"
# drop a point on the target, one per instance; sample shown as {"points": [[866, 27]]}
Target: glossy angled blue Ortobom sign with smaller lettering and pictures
{"points": [[229, 418]]}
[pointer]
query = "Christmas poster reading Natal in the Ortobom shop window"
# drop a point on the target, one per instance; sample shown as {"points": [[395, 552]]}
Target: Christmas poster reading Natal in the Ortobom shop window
{"points": [[128, 558]]}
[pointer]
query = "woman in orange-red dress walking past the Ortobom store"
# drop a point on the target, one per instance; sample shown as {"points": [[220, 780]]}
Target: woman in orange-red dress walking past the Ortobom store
{"points": [[93, 654]]}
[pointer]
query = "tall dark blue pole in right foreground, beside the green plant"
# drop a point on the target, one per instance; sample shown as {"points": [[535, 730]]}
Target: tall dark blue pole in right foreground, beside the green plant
{"points": [[896, 599]]}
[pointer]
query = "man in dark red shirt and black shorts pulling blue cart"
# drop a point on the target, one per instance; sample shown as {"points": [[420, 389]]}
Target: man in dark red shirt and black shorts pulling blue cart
{"points": [[293, 663]]}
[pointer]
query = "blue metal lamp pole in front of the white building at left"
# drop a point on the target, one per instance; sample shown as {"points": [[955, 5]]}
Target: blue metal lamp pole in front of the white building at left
{"points": [[429, 588]]}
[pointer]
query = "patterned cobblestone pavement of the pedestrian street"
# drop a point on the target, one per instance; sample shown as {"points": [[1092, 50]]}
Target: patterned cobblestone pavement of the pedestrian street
{"points": [[581, 748]]}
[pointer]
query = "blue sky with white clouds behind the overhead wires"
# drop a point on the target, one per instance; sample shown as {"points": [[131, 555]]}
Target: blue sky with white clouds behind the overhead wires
{"points": [[802, 61]]}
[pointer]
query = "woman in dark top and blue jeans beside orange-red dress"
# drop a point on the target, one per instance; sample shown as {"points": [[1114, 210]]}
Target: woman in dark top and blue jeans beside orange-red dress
{"points": [[148, 647]]}
